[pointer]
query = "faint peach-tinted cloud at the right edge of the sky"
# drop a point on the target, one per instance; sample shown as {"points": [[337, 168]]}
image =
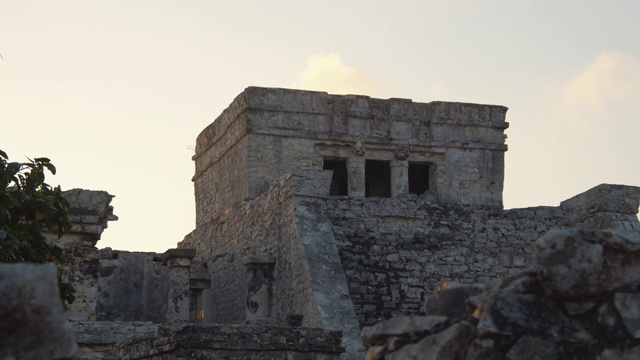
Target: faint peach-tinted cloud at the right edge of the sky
{"points": [[611, 79]]}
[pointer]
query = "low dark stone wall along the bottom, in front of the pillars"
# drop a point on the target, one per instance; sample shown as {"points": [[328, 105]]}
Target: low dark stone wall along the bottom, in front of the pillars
{"points": [[143, 340]]}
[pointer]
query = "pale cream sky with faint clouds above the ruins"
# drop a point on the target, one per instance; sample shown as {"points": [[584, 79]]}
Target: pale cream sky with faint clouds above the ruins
{"points": [[115, 92]]}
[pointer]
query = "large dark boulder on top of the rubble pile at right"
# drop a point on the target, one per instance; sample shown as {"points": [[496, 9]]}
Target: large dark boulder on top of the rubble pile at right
{"points": [[583, 263]]}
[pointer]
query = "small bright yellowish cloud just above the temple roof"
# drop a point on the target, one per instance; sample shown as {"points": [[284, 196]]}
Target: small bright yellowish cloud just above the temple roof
{"points": [[328, 73]]}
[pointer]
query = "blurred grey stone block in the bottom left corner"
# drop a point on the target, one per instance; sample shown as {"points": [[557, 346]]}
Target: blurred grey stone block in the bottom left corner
{"points": [[32, 323]]}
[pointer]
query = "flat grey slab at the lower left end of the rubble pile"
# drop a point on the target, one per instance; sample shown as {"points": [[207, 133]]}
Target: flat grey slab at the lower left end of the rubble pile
{"points": [[408, 328]]}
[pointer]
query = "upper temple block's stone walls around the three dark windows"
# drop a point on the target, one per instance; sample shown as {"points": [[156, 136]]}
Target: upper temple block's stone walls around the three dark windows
{"points": [[266, 132]]}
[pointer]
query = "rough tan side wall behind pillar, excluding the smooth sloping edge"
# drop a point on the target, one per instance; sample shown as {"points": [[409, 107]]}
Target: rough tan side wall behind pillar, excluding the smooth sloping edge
{"points": [[263, 226]]}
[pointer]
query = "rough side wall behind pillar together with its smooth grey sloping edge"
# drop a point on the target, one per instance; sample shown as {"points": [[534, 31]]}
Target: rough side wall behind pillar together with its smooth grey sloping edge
{"points": [[287, 223]]}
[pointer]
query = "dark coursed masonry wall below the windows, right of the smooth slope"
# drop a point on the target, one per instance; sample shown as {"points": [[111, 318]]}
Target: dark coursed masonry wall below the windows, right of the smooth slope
{"points": [[393, 249]]}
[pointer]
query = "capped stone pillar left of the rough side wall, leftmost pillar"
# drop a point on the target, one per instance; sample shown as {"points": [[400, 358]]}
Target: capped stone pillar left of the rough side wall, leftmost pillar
{"points": [[179, 262]]}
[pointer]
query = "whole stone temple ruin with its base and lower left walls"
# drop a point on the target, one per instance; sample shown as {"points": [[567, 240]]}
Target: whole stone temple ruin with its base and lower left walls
{"points": [[317, 215]]}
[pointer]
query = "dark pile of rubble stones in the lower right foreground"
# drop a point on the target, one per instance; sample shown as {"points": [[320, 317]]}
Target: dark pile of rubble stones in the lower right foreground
{"points": [[580, 300]]}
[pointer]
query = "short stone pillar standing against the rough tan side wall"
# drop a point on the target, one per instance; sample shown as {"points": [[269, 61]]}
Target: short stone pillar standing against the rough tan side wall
{"points": [[260, 286]]}
